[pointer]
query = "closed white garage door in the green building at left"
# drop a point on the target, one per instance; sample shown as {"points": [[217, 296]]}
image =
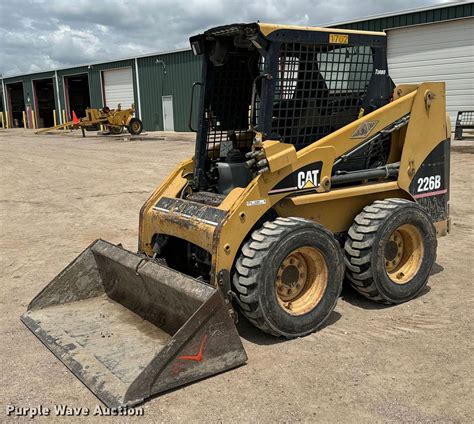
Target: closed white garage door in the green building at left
{"points": [[118, 87]]}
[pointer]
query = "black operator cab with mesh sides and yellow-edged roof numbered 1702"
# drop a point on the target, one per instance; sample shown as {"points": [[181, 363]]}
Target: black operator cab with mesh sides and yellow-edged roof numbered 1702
{"points": [[292, 84]]}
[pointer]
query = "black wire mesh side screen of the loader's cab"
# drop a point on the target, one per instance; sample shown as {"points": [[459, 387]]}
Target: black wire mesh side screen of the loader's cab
{"points": [[319, 89]]}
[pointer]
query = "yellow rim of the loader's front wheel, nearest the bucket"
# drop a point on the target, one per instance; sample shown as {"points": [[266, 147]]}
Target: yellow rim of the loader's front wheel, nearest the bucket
{"points": [[301, 280]]}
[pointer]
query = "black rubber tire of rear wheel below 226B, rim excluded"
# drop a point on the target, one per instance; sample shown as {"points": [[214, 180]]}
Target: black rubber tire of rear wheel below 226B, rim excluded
{"points": [[365, 254]]}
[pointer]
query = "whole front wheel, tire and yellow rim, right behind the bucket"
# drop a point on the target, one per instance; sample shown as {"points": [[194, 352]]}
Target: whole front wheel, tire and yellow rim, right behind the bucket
{"points": [[289, 276]]}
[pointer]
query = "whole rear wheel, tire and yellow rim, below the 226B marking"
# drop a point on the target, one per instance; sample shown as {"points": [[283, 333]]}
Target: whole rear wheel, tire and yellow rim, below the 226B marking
{"points": [[390, 250]]}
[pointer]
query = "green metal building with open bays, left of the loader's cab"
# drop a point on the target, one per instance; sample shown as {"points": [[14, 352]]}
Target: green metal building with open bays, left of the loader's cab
{"points": [[169, 74]]}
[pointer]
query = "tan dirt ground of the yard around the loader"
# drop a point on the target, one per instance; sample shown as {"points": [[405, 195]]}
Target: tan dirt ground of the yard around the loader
{"points": [[371, 363]]}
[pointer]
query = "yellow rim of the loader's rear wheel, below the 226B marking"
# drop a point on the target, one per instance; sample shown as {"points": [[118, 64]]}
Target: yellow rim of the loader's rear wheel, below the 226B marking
{"points": [[403, 254]]}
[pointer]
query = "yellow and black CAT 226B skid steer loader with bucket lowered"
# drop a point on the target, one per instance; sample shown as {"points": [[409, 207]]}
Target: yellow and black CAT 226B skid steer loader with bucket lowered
{"points": [[310, 167]]}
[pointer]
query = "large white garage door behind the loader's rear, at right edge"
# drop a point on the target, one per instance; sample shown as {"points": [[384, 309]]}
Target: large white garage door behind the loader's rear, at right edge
{"points": [[436, 52]]}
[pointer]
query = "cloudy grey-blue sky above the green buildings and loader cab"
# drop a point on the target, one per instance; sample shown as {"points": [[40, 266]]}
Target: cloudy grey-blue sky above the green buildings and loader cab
{"points": [[49, 34]]}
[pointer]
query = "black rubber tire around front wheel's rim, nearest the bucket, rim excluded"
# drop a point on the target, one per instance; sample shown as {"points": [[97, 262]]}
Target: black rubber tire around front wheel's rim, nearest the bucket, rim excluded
{"points": [[257, 266]]}
